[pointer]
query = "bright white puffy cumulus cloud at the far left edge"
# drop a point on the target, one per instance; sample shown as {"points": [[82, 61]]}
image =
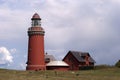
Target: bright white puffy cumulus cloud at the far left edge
{"points": [[5, 56]]}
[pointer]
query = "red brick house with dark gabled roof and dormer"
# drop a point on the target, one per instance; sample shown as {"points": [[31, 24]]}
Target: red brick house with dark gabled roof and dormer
{"points": [[79, 60]]}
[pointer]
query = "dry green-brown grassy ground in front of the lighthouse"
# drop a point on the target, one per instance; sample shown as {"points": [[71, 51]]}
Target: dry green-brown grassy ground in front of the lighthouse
{"points": [[97, 74]]}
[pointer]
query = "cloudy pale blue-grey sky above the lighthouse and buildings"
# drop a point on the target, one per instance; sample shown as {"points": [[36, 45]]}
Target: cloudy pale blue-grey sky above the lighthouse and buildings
{"points": [[81, 25]]}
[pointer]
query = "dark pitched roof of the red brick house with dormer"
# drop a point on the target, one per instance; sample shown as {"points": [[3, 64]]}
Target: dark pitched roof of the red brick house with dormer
{"points": [[79, 56]]}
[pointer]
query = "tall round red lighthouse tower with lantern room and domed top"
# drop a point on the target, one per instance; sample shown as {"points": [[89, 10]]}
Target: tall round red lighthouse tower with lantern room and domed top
{"points": [[36, 59]]}
